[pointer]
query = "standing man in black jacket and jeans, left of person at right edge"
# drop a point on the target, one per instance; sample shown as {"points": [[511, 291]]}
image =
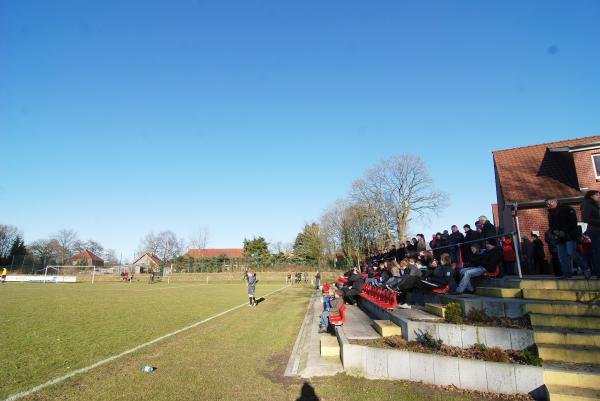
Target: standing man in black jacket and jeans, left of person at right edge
{"points": [[563, 225]]}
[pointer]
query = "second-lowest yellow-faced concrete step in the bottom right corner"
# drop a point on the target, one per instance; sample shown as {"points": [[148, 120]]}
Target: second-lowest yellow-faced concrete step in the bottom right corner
{"points": [[583, 376]]}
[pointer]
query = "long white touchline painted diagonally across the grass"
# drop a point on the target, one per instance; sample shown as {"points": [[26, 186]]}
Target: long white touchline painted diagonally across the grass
{"points": [[112, 358]]}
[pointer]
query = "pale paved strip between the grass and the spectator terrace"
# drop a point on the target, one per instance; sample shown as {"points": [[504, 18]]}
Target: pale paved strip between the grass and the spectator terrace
{"points": [[306, 360]]}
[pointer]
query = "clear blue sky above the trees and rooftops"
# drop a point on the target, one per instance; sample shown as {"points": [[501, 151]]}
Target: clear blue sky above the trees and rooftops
{"points": [[122, 117]]}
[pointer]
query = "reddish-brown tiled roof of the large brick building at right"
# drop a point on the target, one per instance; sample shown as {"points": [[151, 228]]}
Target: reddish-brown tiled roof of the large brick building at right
{"points": [[532, 173]]}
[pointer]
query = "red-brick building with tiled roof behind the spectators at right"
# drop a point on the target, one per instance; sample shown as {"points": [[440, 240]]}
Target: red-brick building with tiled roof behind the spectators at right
{"points": [[526, 176]]}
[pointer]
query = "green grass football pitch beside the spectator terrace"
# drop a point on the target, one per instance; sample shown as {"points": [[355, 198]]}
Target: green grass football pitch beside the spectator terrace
{"points": [[51, 329]]}
